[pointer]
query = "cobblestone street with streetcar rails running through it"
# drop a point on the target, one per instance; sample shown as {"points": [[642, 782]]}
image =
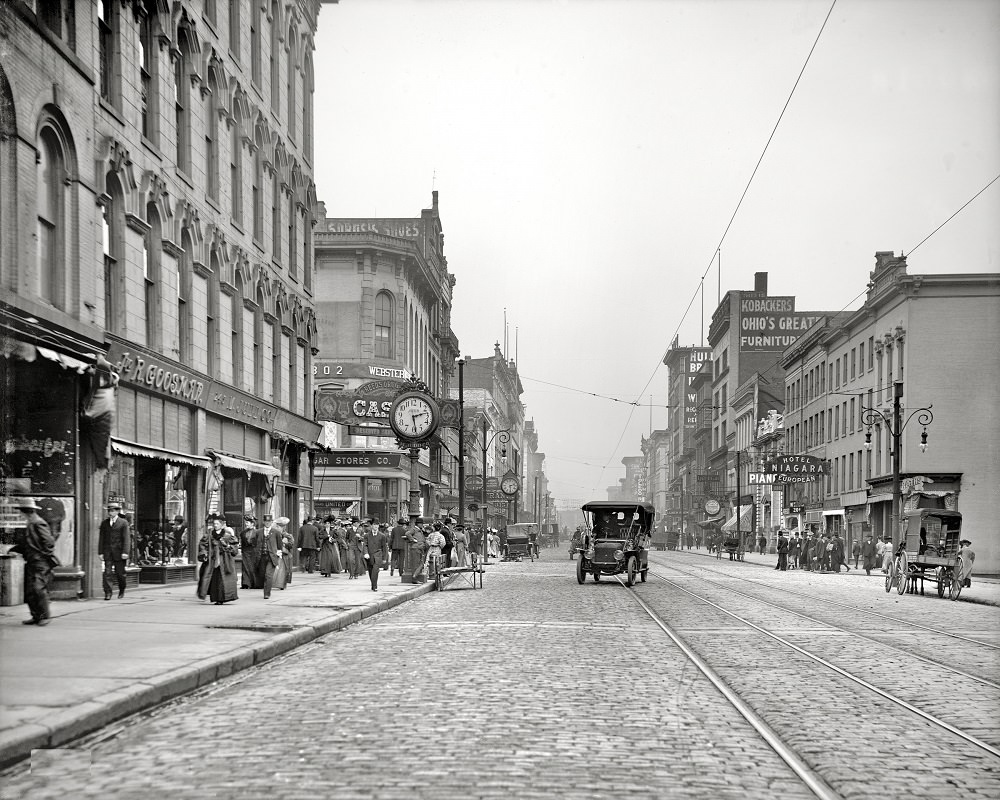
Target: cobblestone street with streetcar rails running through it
{"points": [[539, 687]]}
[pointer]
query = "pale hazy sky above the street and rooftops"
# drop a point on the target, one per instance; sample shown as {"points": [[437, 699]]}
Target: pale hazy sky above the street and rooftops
{"points": [[591, 157]]}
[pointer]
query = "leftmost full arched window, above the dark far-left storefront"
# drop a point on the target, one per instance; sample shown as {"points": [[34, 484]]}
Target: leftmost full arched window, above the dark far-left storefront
{"points": [[51, 204]]}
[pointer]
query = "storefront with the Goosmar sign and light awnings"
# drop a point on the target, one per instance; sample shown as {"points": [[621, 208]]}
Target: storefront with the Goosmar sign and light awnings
{"points": [[186, 445]]}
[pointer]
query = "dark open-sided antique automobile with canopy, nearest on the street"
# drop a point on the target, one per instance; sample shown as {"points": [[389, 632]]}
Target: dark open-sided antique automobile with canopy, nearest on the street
{"points": [[617, 540]]}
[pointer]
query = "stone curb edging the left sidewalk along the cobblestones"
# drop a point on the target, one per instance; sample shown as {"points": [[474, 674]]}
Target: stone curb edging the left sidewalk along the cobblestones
{"points": [[65, 725]]}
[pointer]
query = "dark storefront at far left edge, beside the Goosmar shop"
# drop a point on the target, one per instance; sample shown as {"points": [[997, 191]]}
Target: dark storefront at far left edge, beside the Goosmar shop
{"points": [[55, 436]]}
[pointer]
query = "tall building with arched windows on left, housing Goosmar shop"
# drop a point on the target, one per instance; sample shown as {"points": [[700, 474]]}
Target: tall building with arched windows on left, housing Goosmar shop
{"points": [[155, 196]]}
